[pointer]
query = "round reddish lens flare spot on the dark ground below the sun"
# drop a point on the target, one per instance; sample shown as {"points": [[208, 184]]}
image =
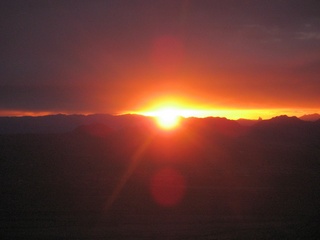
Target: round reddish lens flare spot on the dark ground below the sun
{"points": [[168, 187]]}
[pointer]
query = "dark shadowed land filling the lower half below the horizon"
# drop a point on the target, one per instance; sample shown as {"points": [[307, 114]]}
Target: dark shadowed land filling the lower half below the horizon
{"points": [[258, 182]]}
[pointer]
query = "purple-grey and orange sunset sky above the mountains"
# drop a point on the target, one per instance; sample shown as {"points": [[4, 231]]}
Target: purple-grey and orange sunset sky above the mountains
{"points": [[129, 55]]}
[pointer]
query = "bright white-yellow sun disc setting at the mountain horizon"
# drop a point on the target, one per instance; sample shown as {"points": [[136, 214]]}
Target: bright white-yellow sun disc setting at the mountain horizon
{"points": [[167, 118]]}
